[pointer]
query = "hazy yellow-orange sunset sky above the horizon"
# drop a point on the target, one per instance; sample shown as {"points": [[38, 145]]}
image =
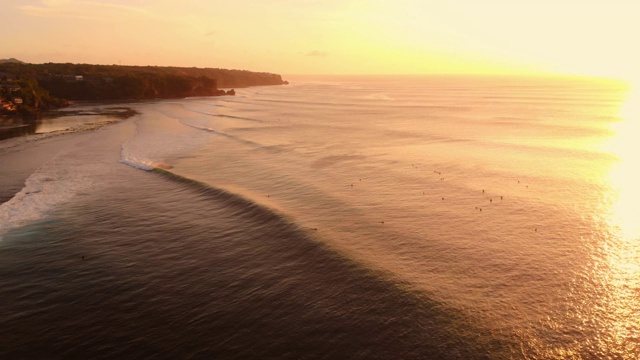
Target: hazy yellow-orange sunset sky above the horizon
{"points": [[589, 37]]}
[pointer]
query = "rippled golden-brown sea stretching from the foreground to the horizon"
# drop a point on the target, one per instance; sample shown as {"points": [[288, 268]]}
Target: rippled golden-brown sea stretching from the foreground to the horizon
{"points": [[345, 218]]}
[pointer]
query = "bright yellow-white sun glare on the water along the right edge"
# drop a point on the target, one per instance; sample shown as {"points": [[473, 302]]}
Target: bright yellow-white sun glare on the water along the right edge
{"points": [[621, 272]]}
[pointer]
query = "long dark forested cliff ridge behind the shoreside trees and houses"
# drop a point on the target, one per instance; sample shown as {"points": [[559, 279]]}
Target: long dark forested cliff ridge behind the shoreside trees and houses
{"points": [[113, 82]]}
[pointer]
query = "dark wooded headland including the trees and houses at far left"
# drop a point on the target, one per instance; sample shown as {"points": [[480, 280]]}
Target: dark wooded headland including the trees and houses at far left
{"points": [[31, 88]]}
